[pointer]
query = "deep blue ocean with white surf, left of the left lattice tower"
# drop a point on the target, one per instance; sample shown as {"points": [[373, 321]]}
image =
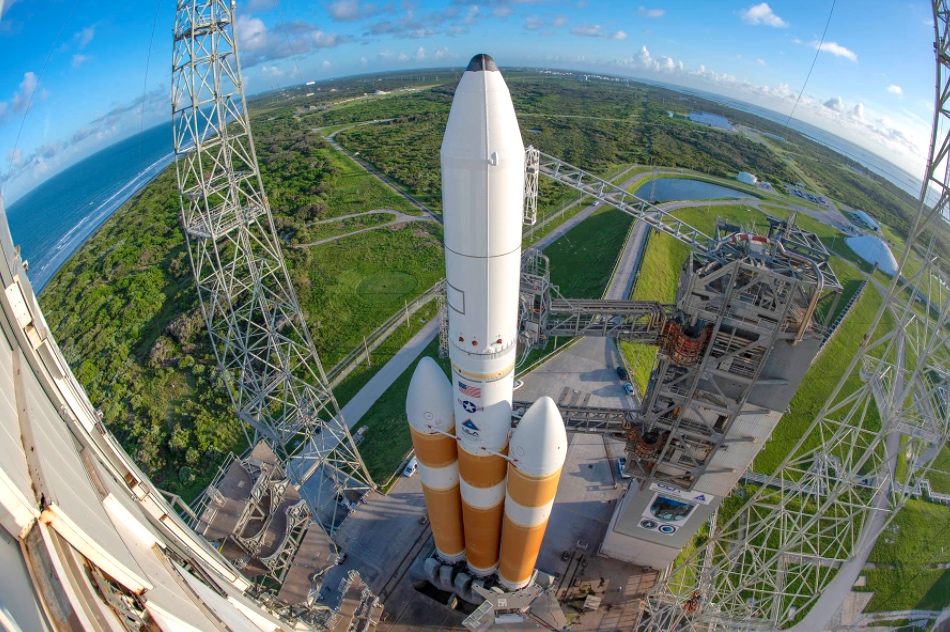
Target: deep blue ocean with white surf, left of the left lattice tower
{"points": [[55, 219]]}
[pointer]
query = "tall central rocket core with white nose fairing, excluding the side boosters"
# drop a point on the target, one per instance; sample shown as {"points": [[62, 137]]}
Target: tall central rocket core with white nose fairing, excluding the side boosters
{"points": [[482, 201]]}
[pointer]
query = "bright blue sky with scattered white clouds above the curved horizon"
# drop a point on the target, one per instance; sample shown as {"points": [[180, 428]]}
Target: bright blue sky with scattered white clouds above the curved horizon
{"points": [[78, 75]]}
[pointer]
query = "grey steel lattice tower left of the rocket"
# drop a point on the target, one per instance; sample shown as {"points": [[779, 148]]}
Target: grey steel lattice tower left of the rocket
{"points": [[261, 341]]}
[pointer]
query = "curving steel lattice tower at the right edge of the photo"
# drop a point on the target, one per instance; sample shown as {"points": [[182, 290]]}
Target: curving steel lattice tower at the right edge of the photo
{"points": [[807, 529]]}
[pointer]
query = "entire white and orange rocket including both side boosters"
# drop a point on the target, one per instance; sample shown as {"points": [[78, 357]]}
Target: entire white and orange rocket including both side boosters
{"points": [[482, 204]]}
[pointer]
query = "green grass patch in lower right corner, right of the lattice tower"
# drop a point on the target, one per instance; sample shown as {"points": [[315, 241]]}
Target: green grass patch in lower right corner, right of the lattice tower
{"points": [[906, 556]]}
